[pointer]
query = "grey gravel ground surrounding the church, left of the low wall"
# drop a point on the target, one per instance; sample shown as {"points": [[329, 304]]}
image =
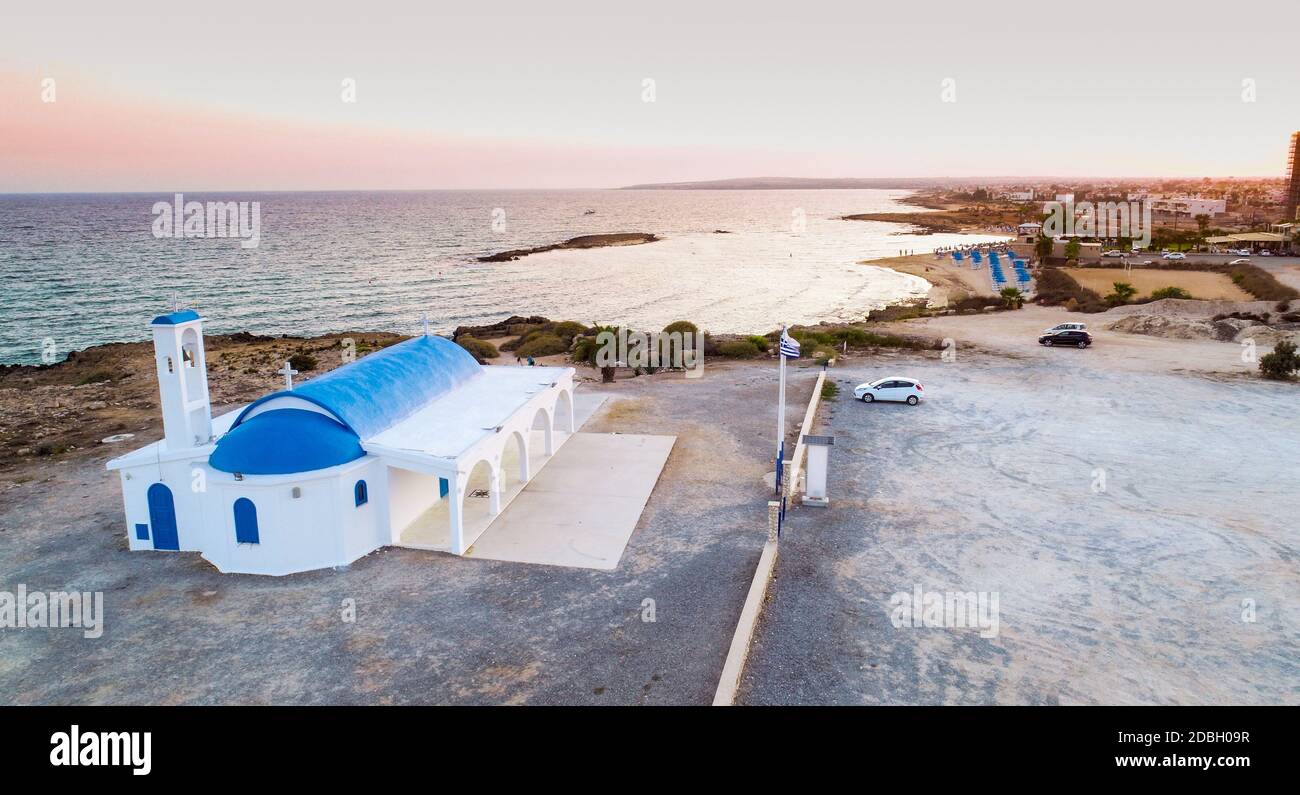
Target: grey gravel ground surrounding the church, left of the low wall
{"points": [[430, 628]]}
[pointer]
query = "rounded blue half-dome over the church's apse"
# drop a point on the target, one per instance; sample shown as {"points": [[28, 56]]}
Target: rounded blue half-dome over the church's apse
{"points": [[285, 442]]}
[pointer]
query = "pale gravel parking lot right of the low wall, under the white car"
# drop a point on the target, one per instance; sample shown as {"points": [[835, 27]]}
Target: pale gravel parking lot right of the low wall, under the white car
{"points": [[1134, 593]]}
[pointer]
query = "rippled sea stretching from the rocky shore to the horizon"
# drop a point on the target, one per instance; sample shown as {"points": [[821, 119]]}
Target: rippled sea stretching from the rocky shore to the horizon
{"points": [[86, 270]]}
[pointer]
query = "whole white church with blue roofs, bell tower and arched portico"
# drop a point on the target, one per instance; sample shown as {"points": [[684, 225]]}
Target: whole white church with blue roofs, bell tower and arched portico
{"points": [[415, 445]]}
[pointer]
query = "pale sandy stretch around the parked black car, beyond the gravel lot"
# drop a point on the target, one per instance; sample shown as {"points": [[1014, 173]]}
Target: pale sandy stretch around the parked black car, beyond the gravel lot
{"points": [[1016, 334]]}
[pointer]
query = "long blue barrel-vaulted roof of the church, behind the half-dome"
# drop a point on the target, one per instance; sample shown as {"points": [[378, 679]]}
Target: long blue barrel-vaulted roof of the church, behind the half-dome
{"points": [[380, 390]]}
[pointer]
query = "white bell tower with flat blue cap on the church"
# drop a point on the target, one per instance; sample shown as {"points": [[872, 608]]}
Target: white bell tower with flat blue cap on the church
{"points": [[183, 371]]}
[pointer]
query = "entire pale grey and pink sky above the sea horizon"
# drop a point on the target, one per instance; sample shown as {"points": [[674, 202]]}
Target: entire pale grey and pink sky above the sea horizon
{"points": [[153, 97]]}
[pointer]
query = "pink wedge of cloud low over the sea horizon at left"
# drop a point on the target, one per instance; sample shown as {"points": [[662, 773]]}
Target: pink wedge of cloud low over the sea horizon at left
{"points": [[98, 142]]}
